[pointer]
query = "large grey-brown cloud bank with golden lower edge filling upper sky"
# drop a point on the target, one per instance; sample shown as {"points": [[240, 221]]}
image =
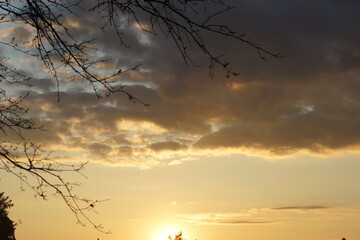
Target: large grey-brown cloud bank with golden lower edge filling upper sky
{"points": [[307, 101]]}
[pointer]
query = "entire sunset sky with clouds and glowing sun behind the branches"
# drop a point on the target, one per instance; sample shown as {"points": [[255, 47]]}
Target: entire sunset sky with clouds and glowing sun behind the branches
{"points": [[272, 153]]}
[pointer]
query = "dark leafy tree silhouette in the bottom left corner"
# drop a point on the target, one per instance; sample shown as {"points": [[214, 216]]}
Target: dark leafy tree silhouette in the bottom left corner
{"points": [[7, 226]]}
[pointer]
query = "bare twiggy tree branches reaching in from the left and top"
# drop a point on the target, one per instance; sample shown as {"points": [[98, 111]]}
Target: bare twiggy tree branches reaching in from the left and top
{"points": [[65, 54]]}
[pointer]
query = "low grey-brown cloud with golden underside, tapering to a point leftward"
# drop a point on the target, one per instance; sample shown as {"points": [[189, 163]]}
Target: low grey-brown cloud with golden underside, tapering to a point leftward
{"points": [[286, 136]]}
